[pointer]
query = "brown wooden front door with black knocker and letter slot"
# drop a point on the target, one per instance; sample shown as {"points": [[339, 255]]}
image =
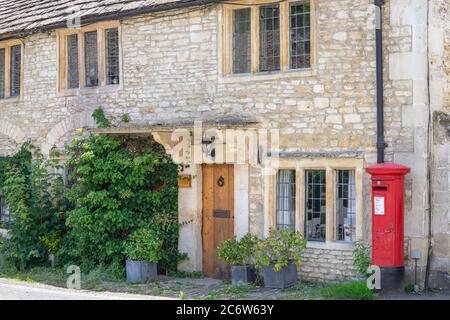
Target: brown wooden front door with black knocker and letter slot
{"points": [[218, 216]]}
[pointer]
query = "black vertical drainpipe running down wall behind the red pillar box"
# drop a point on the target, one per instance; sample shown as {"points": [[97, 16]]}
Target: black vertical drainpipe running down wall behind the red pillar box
{"points": [[381, 145]]}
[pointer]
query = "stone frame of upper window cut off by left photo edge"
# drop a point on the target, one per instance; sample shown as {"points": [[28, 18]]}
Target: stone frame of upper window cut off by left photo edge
{"points": [[7, 45]]}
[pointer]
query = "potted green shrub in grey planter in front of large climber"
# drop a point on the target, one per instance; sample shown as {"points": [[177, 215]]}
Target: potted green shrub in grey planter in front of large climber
{"points": [[143, 250]]}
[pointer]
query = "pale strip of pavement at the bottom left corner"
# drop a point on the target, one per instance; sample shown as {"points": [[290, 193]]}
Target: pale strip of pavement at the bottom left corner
{"points": [[18, 290]]}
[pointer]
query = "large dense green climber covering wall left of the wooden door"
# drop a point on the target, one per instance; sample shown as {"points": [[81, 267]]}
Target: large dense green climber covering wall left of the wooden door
{"points": [[119, 185]]}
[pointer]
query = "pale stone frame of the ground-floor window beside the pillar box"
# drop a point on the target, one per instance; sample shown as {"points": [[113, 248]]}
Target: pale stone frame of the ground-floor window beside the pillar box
{"points": [[331, 166]]}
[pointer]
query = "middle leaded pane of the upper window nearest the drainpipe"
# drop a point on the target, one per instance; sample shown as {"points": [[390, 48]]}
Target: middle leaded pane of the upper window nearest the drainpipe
{"points": [[269, 38]]}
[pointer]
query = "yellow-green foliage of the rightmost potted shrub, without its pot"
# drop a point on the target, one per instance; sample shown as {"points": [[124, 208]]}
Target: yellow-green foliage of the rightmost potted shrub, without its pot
{"points": [[281, 247]]}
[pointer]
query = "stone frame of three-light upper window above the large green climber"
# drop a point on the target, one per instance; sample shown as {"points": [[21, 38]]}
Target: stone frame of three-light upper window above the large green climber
{"points": [[101, 28]]}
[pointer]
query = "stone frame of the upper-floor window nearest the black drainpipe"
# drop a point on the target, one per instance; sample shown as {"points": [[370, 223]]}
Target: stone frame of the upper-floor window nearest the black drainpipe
{"points": [[226, 41]]}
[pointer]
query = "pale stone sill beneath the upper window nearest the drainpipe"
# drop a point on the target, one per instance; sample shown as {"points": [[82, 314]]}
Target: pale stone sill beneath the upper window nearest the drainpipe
{"points": [[265, 76]]}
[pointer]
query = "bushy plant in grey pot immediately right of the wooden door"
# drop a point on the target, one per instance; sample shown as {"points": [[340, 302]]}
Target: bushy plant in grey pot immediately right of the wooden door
{"points": [[238, 255]]}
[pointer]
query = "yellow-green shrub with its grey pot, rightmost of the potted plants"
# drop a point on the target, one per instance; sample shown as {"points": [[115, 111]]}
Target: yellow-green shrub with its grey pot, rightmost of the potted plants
{"points": [[279, 256]]}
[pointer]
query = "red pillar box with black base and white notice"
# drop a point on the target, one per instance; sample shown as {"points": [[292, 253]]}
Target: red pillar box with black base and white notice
{"points": [[388, 191]]}
